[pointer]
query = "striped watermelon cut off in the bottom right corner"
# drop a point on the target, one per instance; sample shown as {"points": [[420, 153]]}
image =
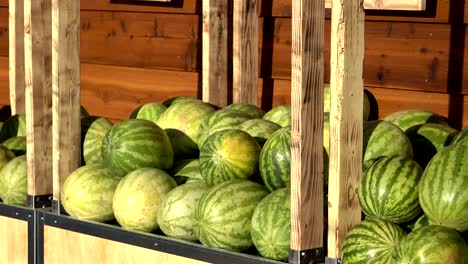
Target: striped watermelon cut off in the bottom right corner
{"points": [[432, 244]]}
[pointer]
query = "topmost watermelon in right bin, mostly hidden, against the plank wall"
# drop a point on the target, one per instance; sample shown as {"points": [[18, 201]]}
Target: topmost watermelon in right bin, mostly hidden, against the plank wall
{"points": [[406, 119]]}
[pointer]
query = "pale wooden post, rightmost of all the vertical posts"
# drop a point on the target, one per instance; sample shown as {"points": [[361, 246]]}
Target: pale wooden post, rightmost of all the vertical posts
{"points": [[347, 56]]}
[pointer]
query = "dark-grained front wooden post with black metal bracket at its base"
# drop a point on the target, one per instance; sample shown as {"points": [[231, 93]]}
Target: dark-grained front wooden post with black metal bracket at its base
{"points": [[308, 19]]}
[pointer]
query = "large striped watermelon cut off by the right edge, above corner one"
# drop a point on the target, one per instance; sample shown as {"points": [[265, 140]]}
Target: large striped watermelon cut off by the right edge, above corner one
{"points": [[443, 189]]}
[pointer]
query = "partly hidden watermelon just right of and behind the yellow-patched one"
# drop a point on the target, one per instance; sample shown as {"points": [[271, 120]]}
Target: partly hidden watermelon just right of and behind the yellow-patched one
{"points": [[260, 129]]}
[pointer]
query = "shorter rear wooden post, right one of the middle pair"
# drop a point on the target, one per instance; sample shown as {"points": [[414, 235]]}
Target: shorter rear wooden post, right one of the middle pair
{"points": [[245, 51]]}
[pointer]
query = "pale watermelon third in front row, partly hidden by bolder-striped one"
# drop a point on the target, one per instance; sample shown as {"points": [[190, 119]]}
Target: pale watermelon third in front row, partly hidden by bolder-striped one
{"points": [[176, 217]]}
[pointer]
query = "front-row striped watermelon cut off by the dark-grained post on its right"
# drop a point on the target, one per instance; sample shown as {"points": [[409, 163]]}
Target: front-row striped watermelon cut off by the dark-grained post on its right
{"points": [[271, 224]]}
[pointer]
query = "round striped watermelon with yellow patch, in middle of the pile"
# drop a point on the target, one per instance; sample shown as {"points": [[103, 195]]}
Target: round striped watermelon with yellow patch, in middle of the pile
{"points": [[227, 155]]}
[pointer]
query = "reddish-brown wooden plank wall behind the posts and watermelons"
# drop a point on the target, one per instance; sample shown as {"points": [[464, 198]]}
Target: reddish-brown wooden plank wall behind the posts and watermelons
{"points": [[135, 54]]}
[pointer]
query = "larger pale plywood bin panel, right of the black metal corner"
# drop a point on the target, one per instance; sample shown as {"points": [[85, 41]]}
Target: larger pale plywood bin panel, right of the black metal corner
{"points": [[75, 248]]}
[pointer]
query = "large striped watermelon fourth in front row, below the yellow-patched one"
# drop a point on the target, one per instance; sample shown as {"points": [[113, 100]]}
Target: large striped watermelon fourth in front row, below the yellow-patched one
{"points": [[224, 214]]}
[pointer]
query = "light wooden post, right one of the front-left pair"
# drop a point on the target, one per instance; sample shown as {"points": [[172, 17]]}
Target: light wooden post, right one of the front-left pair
{"points": [[66, 92]]}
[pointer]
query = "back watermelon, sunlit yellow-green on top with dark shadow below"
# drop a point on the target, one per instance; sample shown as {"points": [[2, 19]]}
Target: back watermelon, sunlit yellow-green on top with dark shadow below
{"points": [[181, 122]]}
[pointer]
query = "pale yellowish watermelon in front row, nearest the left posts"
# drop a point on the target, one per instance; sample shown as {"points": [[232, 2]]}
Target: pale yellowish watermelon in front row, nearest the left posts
{"points": [[87, 192]]}
